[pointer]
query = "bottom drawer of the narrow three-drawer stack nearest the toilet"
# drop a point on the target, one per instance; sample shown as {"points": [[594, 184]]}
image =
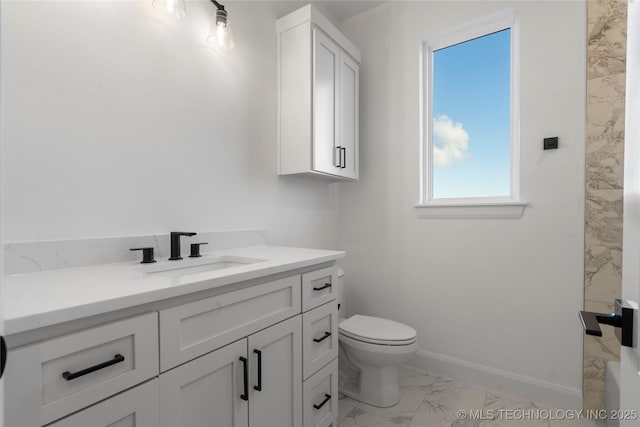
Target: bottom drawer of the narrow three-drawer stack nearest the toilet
{"points": [[320, 397]]}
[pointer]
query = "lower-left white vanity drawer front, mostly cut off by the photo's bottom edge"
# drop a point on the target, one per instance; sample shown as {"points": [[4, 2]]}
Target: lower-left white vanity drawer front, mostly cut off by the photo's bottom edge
{"points": [[137, 407]]}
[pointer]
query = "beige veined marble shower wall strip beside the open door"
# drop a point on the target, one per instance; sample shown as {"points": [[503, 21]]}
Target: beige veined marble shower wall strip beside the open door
{"points": [[606, 55]]}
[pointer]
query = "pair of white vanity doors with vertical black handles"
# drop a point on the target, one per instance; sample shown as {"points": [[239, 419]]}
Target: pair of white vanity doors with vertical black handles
{"points": [[256, 381]]}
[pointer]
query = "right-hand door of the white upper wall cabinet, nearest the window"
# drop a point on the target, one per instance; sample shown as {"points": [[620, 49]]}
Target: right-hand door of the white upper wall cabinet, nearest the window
{"points": [[348, 116]]}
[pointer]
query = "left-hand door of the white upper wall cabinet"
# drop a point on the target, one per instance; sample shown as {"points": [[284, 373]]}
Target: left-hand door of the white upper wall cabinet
{"points": [[326, 56]]}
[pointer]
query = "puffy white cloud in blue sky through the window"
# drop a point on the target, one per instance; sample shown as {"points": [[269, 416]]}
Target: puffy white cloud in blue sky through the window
{"points": [[450, 142]]}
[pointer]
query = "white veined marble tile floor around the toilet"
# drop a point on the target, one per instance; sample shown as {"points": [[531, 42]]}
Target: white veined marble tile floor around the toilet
{"points": [[434, 401]]}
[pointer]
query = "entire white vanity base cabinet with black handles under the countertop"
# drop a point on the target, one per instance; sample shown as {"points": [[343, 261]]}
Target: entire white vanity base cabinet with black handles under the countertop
{"points": [[260, 354]]}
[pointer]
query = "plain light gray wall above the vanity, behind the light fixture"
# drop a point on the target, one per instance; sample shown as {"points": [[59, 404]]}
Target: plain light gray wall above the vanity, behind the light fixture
{"points": [[118, 120]]}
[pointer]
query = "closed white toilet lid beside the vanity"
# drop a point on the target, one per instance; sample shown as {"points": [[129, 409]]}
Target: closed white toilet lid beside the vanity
{"points": [[375, 329]]}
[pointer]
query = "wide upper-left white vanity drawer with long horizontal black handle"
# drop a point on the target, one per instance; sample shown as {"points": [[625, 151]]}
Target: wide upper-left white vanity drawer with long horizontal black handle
{"points": [[57, 377]]}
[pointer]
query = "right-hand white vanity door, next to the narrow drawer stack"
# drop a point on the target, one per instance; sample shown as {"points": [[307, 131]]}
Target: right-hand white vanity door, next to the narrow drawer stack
{"points": [[275, 398]]}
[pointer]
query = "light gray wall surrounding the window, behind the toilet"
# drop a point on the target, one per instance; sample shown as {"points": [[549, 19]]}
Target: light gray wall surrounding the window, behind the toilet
{"points": [[489, 298]]}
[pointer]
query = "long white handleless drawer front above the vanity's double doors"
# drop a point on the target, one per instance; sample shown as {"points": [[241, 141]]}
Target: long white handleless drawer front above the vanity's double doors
{"points": [[191, 330]]}
